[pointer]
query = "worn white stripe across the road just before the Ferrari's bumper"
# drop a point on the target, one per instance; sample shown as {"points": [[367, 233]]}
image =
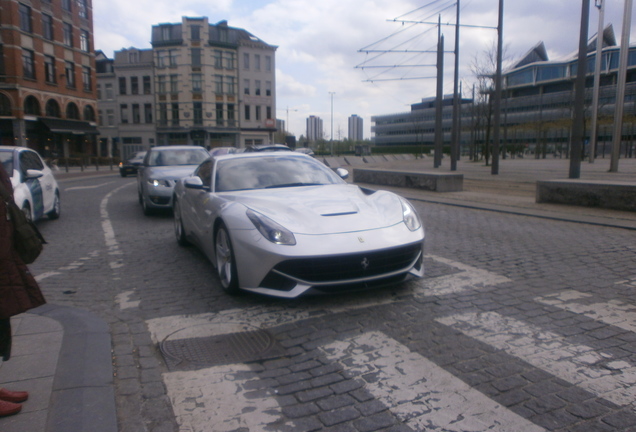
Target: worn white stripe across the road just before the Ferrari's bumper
{"points": [[236, 320]]}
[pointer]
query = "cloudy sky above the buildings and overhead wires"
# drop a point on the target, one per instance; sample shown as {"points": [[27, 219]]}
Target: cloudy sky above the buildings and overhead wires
{"points": [[343, 46]]}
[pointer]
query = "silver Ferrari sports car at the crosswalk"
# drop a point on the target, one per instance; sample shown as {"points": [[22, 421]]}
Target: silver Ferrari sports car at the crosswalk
{"points": [[284, 224]]}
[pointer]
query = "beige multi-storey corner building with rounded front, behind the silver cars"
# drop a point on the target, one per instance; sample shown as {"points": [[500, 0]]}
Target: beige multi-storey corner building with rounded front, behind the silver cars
{"points": [[214, 85]]}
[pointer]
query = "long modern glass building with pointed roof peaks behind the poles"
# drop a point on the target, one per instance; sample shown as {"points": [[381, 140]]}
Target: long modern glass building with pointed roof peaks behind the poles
{"points": [[537, 105]]}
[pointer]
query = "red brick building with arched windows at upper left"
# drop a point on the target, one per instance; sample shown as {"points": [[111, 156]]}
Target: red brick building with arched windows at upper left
{"points": [[47, 76]]}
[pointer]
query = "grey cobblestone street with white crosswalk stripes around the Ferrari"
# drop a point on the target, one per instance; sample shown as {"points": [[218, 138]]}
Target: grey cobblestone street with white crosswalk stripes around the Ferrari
{"points": [[521, 324]]}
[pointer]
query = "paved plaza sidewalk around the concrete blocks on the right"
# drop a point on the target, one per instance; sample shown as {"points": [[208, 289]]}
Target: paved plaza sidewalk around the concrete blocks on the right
{"points": [[513, 189]]}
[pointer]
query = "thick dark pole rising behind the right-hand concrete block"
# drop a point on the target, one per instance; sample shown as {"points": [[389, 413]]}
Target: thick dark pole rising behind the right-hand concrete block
{"points": [[578, 132]]}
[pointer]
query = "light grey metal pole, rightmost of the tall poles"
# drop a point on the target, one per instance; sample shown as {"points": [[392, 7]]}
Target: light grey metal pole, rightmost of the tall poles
{"points": [[620, 87]]}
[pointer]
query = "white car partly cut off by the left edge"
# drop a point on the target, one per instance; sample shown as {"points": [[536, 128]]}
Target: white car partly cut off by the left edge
{"points": [[35, 190]]}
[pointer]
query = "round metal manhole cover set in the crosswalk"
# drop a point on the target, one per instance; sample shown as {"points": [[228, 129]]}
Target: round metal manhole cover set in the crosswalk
{"points": [[195, 353]]}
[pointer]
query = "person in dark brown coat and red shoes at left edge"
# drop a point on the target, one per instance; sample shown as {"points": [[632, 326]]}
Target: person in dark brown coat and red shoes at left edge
{"points": [[19, 292]]}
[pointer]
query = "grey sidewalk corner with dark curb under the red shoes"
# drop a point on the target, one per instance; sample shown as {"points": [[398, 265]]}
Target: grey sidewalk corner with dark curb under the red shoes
{"points": [[62, 357]]}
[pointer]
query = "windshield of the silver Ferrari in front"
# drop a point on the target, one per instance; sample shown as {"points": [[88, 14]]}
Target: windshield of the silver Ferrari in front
{"points": [[274, 171]]}
